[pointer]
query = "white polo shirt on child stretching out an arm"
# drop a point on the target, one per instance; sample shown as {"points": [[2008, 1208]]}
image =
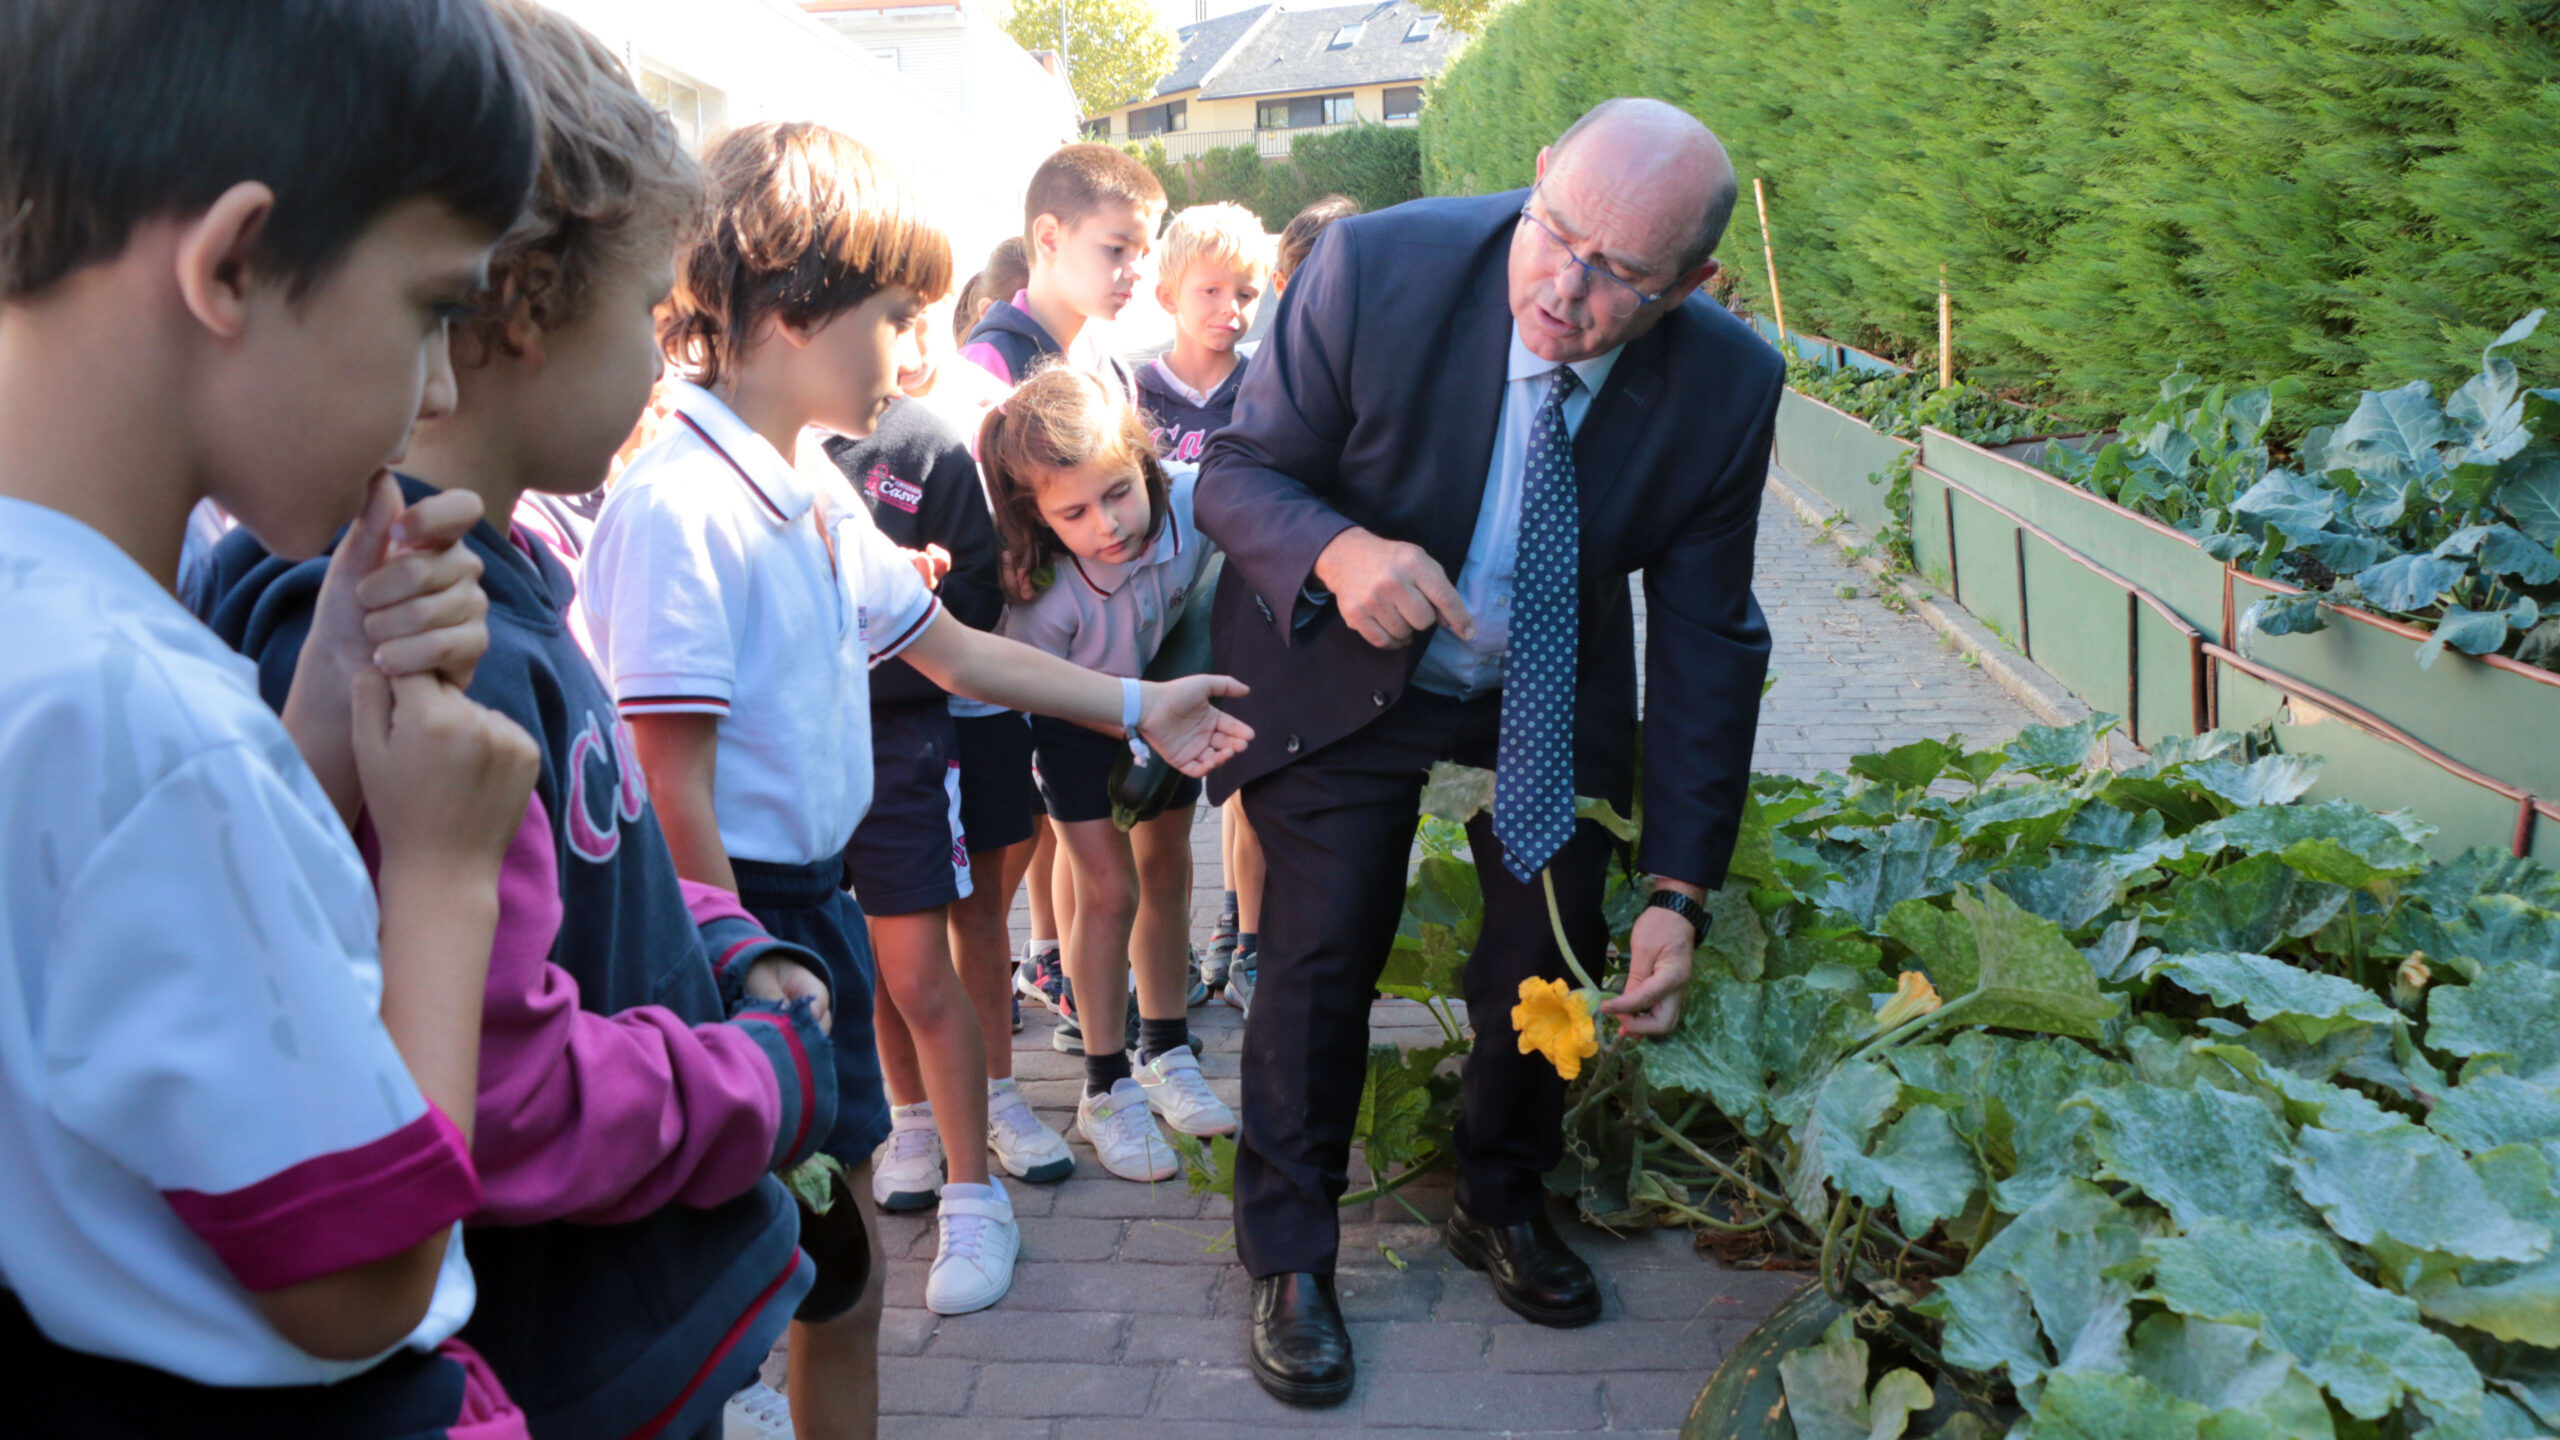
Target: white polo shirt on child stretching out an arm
{"points": [[723, 580]]}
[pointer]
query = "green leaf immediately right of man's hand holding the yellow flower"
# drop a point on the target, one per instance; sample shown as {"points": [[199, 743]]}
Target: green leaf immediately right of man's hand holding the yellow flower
{"points": [[1755, 1049]]}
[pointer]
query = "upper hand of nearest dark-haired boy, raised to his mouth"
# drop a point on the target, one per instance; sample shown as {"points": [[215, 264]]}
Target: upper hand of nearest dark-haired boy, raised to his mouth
{"points": [[403, 593]]}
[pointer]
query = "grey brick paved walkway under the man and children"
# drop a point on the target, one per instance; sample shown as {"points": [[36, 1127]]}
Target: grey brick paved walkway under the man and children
{"points": [[1128, 1311]]}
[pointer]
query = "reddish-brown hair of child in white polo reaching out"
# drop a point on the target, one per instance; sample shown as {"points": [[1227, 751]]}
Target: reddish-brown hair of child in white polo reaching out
{"points": [[803, 227]]}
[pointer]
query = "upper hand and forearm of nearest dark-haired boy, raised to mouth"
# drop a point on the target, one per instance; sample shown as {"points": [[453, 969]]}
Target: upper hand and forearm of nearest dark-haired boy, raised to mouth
{"points": [[401, 596]]}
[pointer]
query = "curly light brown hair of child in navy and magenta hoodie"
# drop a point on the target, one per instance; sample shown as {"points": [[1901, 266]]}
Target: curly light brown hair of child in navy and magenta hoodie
{"points": [[613, 181]]}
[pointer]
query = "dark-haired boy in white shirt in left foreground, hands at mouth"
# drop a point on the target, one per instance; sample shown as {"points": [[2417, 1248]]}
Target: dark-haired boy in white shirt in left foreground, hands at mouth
{"points": [[237, 1093]]}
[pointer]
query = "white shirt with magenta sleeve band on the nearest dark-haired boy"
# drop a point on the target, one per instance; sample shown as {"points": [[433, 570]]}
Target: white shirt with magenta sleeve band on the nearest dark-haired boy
{"points": [[198, 1098]]}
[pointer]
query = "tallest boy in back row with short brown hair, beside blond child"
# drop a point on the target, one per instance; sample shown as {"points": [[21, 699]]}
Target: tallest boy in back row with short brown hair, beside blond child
{"points": [[1087, 227]]}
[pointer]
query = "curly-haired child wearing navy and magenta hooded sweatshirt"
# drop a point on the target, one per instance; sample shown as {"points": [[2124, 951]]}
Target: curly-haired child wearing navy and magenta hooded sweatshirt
{"points": [[644, 1070]]}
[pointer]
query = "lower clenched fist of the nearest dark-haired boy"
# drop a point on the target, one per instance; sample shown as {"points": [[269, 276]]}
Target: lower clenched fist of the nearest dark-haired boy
{"points": [[444, 778]]}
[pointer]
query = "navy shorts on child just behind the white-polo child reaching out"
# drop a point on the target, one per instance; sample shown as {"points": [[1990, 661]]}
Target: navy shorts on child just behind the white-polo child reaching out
{"points": [[910, 855]]}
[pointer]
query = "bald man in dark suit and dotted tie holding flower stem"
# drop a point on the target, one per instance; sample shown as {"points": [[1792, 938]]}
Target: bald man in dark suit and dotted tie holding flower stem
{"points": [[1522, 393]]}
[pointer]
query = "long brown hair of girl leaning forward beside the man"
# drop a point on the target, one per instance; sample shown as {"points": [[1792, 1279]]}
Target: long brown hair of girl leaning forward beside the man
{"points": [[1059, 419]]}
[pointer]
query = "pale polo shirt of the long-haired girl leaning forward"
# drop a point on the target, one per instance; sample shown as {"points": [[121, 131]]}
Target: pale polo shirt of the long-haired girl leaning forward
{"points": [[1115, 616]]}
